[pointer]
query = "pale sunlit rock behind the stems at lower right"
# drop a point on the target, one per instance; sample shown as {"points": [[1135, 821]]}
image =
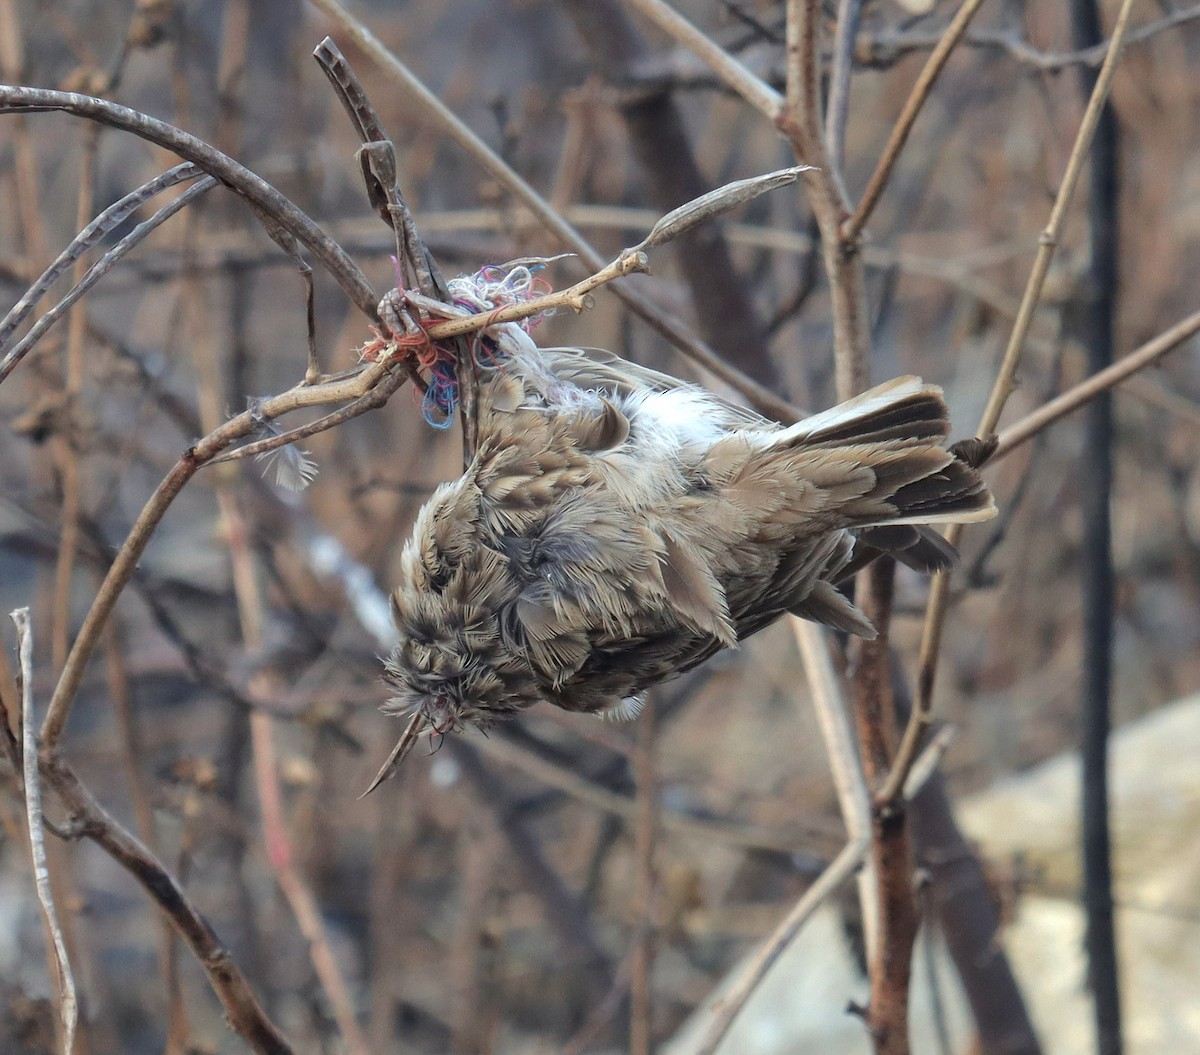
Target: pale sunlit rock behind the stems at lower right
{"points": [[1035, 817]]}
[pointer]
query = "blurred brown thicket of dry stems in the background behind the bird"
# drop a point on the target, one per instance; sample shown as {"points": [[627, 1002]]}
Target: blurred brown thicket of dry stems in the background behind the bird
{"points": [[488, 900]]}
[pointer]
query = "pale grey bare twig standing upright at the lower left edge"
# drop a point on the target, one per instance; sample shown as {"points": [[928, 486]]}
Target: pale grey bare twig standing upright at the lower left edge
{"points": [[69, 1004]]}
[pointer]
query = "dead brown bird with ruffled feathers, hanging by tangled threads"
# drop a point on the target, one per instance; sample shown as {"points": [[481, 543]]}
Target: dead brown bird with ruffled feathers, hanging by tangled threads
{"points": [[619, 526]]}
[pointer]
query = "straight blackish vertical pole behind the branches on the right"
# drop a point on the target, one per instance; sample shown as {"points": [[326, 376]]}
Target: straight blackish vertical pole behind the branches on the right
{"points": [[1099, 309]]}
